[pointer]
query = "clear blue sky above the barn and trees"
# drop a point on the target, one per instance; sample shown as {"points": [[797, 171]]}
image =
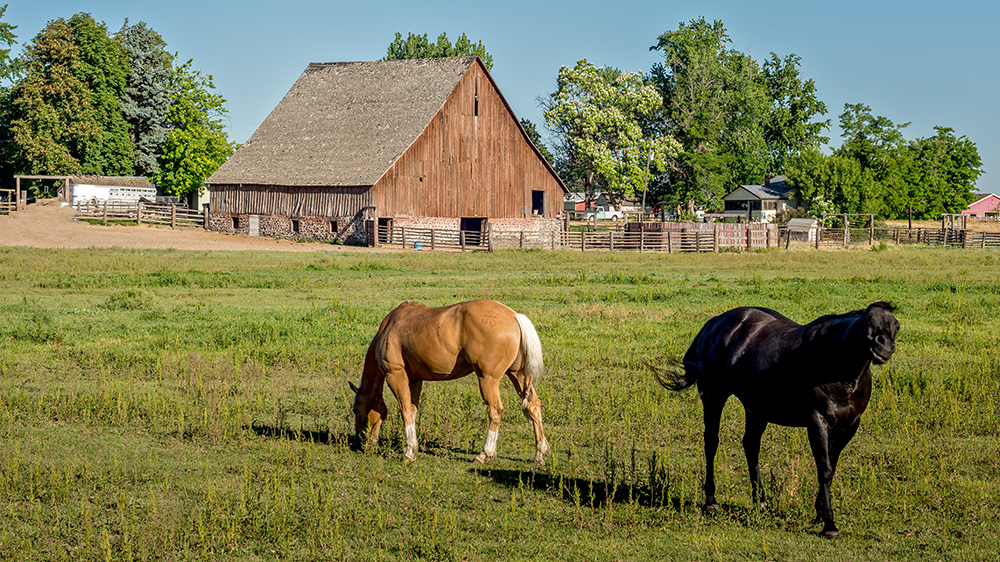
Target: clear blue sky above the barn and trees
{"points": [[927, 62]]}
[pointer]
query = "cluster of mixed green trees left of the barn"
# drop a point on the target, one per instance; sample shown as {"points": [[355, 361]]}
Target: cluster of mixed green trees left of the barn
{"points": [[79, 100]]}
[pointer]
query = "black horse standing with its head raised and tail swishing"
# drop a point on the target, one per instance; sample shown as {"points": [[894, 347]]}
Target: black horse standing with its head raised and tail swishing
{"points": [[816, 376]]}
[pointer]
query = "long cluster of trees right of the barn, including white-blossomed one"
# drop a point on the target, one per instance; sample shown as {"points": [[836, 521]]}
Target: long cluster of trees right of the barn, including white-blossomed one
{"points": [[709, 117]]}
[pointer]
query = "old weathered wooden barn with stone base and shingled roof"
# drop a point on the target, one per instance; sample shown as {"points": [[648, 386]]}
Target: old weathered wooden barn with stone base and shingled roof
{"points": [[426, 143]]}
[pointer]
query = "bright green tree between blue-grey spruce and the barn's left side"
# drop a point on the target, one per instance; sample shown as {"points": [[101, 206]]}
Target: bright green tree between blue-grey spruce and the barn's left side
{"points": [[197, 143]]}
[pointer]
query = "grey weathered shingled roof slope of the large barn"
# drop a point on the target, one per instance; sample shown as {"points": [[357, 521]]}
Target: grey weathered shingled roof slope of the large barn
{"points": [[344, 124]]}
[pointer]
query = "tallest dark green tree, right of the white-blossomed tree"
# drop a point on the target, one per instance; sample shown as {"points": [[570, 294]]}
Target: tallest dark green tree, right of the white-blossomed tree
{"points": [[735, 120]]}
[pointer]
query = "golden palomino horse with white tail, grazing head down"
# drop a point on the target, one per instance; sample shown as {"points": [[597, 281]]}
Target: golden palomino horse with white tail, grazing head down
{"points": [[417, 343]]}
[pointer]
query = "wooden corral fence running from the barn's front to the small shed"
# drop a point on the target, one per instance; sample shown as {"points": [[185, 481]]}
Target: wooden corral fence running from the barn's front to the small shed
{"points": [[636, 237]]}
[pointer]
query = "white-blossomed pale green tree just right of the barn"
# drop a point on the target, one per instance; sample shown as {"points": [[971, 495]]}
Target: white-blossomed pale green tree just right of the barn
{"points": [[601, 113]]}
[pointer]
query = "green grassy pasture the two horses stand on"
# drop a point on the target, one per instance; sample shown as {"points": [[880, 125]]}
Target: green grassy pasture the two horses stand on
{"points": [[168, 405]]}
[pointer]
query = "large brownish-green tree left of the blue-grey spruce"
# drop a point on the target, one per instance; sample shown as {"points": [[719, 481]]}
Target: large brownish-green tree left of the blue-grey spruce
{"points": [[65, 112]]}
